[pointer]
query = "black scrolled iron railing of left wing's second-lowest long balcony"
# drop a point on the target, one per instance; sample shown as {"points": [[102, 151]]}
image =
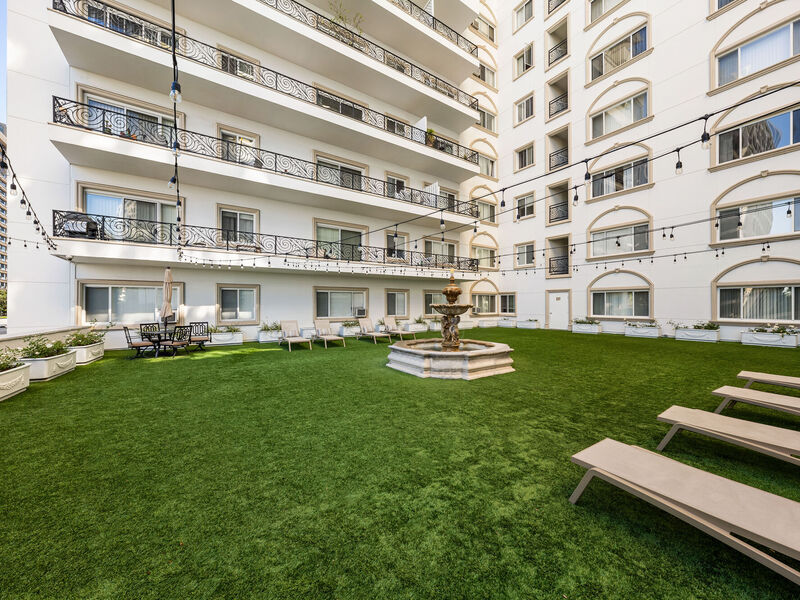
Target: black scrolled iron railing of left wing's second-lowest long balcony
{"points": [[137, 129]]}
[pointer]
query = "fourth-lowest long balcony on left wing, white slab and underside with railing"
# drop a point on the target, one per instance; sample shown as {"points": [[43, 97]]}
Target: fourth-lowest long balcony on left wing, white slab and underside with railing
{"points": [[303, 36]]}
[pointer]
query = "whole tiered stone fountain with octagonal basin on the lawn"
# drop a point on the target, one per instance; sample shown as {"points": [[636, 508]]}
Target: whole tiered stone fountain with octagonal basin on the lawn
{"points": [[451, 357]]}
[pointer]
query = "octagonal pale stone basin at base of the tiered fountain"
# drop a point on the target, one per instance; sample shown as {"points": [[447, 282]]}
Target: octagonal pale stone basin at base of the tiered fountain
{"points": [[474, 359]]}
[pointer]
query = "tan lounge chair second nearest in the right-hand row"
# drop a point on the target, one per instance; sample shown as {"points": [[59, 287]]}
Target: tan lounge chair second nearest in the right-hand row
{"points": [[772, 441]]}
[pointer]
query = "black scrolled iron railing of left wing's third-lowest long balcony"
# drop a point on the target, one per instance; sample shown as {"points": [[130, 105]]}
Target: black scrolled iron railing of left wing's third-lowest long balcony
{"points": [[127, 24]]}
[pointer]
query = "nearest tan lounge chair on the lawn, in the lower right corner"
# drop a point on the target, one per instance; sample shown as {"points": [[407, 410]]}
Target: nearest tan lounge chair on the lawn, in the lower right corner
{"points": [[726, 510]]}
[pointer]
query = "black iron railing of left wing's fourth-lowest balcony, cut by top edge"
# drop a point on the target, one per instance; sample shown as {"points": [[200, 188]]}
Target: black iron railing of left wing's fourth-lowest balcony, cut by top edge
{"points": [[358, 42]]}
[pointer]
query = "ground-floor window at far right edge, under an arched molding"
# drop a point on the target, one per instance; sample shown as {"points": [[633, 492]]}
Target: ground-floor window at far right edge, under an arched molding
{"points": [[774, 303]]}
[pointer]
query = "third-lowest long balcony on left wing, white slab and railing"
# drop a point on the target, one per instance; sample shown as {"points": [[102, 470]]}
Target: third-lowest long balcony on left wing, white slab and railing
{"points": [[259, 93]]}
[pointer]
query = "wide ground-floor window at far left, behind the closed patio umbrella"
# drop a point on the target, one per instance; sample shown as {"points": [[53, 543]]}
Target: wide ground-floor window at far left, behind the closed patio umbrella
{"points": [[125, 304]]}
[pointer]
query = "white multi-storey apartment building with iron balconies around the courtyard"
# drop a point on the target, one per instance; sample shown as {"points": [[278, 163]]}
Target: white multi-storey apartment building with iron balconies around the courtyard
{"points": [[303, 144]]}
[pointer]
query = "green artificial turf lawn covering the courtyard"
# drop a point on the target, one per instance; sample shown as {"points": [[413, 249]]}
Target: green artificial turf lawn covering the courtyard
{"points": [[249, 472]]}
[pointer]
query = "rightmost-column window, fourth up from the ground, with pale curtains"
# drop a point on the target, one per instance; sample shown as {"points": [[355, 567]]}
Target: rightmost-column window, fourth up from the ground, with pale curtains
{"points": [[767, 50]]}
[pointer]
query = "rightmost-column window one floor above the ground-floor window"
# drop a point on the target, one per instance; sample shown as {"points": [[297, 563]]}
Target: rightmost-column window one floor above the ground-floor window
{"points": [[762, 219]]}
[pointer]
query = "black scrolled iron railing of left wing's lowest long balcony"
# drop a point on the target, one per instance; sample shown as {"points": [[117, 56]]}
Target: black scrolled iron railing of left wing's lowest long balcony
{"points": [[72, 224]]}
